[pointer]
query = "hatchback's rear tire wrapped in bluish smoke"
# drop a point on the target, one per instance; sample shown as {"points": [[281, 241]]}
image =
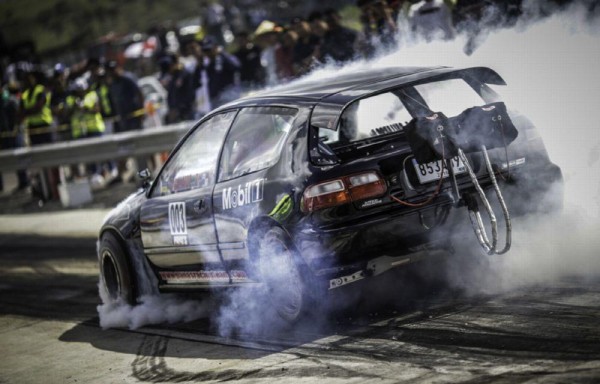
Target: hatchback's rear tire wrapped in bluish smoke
{"points": [[283, 284]]}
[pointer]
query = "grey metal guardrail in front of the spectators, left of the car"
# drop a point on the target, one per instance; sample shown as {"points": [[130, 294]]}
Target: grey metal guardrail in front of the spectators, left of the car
{"points": [[113, 146]]}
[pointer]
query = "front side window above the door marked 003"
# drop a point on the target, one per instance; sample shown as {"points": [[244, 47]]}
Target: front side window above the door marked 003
{"points": [[193, 165]]}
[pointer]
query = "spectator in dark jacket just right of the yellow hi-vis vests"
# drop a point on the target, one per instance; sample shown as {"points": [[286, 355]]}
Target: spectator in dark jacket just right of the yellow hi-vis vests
{"points": [[127, 98]]}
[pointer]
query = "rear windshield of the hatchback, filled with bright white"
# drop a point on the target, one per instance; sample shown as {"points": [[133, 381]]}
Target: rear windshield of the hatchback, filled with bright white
{"points": [[389, 112]]}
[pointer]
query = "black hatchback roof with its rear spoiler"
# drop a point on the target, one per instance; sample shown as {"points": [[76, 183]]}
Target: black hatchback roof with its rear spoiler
{"points": [[330, 93]]}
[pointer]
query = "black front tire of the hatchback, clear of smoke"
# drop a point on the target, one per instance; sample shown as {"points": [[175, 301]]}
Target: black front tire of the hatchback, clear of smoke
{"points": [[114, 270]]}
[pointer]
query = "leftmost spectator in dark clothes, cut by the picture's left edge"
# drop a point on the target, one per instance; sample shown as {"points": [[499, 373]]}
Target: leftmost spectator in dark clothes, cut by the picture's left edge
{"points": [[9, 136]]}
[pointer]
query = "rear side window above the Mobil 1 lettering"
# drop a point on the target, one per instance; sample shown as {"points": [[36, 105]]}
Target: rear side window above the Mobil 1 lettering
{"points": [[255, 140]]}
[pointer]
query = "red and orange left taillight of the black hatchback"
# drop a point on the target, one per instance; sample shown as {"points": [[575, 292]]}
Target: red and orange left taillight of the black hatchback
{"points": [[343, 190]]}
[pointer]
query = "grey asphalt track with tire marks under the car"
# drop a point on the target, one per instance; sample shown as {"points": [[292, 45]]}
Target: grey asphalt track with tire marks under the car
{"points": [[411, 330]]}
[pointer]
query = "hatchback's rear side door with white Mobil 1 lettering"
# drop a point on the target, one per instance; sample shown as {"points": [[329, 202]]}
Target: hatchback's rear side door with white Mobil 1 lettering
{"points": [[253, 145]]}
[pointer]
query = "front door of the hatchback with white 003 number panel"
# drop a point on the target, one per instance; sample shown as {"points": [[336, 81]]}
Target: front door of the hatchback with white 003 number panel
{"points": [[176, 220]]}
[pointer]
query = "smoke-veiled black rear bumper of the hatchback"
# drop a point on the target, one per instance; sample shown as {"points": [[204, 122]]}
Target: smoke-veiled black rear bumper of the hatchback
{"points": [[397, 235]]}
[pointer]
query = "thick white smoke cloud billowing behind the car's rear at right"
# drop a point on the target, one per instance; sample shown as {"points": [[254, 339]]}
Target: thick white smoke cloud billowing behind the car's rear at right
{"points": [[551, 69]]}
